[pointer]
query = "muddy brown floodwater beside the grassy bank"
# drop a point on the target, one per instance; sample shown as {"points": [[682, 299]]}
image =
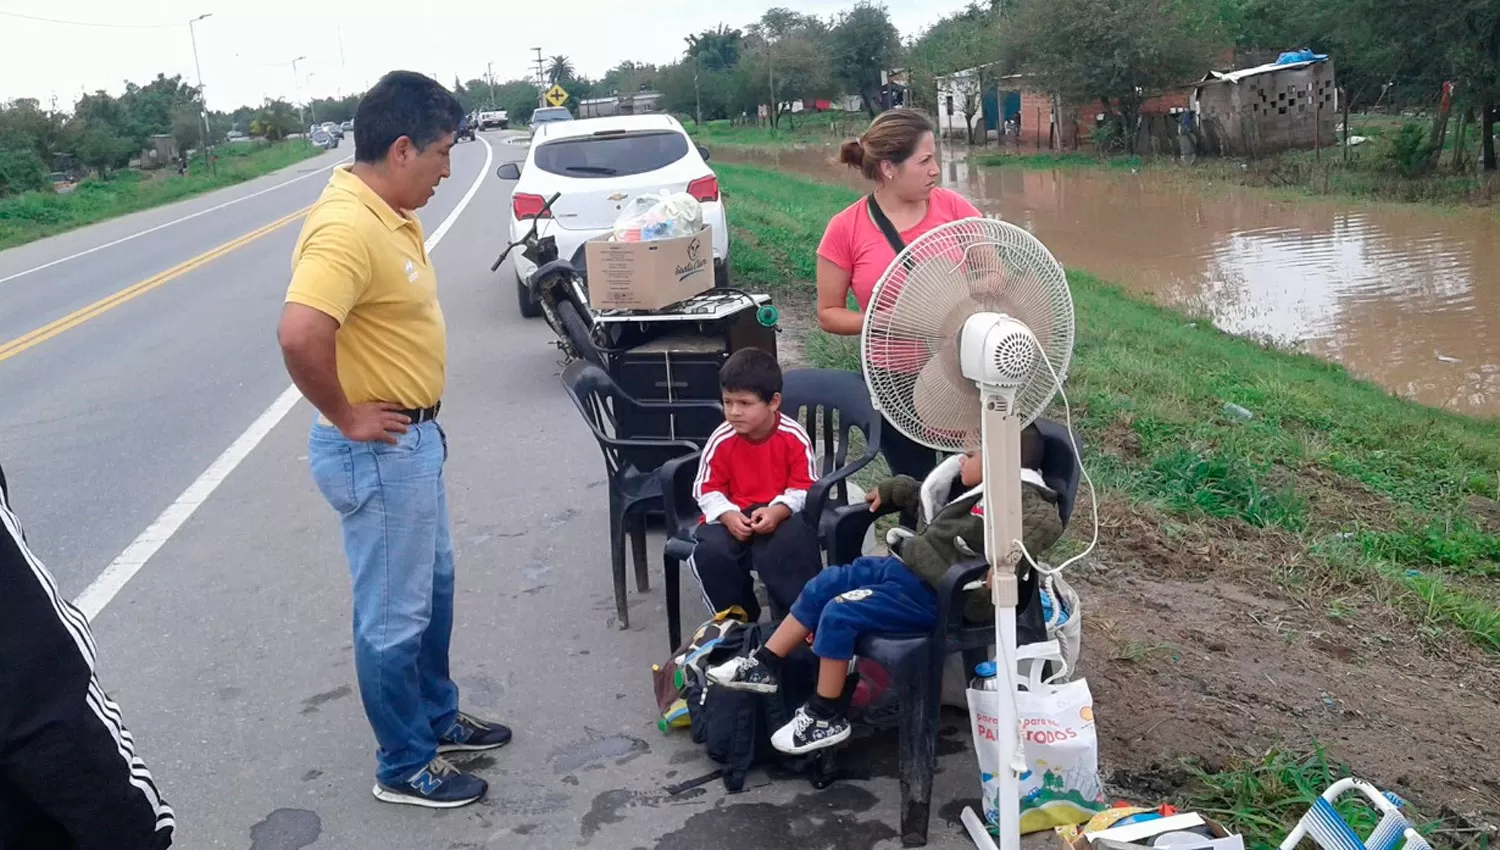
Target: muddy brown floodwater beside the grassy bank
{"points": [[1406, 298]]}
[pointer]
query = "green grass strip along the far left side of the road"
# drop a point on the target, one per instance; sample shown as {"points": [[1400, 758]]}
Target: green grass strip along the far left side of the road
{"points": [[37, 215]]}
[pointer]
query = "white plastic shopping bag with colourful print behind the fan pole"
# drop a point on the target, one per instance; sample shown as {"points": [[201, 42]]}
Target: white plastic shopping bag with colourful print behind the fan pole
{"points": [[1061, 785]]}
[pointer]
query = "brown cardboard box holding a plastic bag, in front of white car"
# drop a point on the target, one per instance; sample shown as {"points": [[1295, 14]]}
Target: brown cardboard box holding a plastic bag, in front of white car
{"points": [[649, 275]]}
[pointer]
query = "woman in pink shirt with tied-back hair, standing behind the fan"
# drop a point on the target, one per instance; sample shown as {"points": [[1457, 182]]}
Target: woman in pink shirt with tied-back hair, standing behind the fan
{"points": [[899, 155]]}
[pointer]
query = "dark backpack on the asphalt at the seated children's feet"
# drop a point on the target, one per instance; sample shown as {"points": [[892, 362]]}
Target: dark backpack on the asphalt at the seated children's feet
{"points": [[736, 726]]}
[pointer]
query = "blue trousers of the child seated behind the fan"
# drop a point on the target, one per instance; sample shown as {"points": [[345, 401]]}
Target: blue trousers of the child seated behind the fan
{"points": [[869, 596]]}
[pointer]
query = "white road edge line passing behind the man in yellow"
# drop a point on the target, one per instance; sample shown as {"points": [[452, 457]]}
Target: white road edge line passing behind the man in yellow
{"points": [[119, 573]]}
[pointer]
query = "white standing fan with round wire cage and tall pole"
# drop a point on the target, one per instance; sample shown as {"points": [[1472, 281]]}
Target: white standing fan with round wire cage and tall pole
{"points": [[967, 340]]}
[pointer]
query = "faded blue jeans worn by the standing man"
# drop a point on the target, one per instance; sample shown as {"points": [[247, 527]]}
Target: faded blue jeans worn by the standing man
{"points": [[395, 519]]}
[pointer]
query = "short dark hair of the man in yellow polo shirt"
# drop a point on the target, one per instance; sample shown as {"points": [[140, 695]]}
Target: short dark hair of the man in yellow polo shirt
{"points": [[403, 104]]}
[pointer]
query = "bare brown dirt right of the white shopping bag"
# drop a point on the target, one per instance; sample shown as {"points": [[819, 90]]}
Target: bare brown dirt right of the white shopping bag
{"points": [[1195, 650]]}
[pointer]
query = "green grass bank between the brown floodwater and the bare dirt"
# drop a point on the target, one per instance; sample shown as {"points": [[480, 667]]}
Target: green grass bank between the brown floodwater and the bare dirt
{"points": [[1364, 494]]}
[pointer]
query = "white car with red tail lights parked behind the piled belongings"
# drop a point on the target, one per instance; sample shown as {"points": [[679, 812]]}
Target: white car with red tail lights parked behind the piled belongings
{"points": [[599, 166]]}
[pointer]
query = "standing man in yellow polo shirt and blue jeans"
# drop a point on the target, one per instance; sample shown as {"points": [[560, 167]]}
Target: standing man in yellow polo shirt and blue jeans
{"points": [[364, 340]]}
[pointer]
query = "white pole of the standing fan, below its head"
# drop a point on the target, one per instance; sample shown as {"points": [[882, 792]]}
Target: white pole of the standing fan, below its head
{"points": [[1001, 441]]}
